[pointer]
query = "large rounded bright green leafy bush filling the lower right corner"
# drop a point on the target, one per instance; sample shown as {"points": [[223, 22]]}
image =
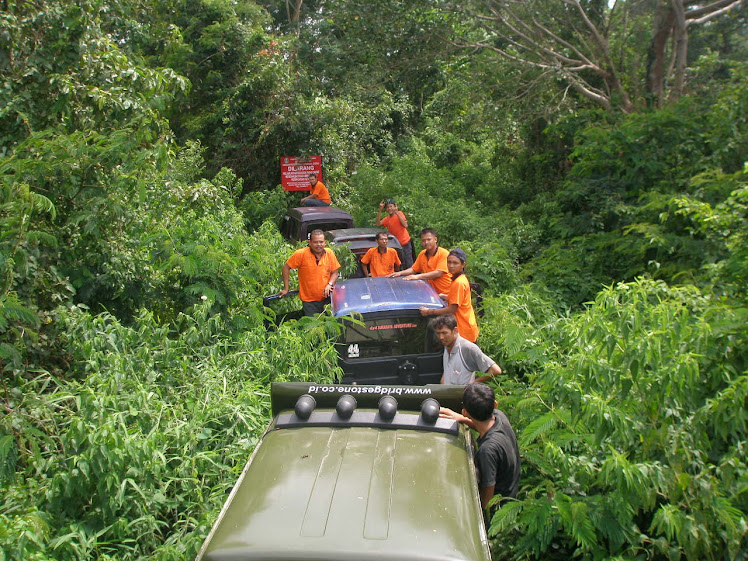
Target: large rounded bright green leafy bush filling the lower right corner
{"points": [[631, 439]]}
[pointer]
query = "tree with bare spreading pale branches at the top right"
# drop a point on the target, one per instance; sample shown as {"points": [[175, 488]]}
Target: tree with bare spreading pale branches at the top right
{"points": [[597, 47]]}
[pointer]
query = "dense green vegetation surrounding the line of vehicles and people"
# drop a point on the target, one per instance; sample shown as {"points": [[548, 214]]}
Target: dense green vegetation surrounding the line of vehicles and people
{"points": [[139, 150]]}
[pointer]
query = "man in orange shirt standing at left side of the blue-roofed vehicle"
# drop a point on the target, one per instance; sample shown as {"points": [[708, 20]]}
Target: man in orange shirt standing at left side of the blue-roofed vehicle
{"points": [[318, 271]]}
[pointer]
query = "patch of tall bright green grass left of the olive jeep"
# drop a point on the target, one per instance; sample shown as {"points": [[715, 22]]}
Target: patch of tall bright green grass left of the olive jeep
{"points": [[132, 455]]}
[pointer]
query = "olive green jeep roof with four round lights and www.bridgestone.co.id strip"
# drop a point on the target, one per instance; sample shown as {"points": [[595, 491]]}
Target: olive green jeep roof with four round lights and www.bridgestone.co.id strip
{"points": [[355, 473]]}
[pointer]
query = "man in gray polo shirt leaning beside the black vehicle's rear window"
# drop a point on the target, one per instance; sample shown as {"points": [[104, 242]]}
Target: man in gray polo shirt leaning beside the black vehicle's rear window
{"points": [[462, 359]]}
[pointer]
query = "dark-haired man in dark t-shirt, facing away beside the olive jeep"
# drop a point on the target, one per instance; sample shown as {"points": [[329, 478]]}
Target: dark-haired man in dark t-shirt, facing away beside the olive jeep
{"points": [[497, 458]]}
